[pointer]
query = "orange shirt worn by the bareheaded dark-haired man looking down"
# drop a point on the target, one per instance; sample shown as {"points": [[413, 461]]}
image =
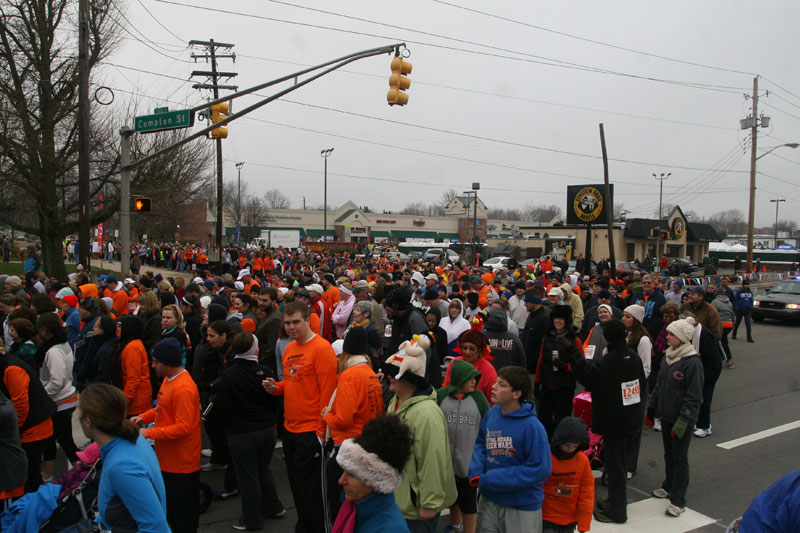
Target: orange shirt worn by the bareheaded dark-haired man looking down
{"points": [[309, 379]]}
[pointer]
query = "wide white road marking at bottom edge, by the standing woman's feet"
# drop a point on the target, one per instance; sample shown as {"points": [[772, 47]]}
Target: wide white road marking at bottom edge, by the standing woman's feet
{"points": [[648, 515]]}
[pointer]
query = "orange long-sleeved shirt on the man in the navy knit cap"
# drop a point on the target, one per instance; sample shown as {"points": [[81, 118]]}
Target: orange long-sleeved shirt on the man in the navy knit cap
{"points": [[177, 434]]}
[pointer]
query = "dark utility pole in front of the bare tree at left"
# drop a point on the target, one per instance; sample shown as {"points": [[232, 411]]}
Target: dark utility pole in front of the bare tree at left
{"points": [[84, 136]]}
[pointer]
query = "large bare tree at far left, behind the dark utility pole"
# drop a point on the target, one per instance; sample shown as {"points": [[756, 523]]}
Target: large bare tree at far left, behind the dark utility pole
{"points": [[39, 126]]}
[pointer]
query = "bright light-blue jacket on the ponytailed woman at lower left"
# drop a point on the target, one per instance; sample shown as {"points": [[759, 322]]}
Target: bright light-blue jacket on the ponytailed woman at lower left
{"points": [[131, 475]]}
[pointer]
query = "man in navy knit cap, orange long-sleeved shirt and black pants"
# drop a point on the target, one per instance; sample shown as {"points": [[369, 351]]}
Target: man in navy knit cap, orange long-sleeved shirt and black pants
{"points": [[177, 435]]}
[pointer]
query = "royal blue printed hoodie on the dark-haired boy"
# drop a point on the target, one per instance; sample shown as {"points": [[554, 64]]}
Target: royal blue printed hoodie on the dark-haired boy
{"points": [[512, 458]]}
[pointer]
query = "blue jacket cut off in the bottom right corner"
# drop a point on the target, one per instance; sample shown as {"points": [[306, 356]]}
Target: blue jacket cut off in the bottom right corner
{"points": [[775, 509]]}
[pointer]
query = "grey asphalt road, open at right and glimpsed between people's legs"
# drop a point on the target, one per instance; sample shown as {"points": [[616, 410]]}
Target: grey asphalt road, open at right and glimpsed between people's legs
{"points": [[760, 393]]}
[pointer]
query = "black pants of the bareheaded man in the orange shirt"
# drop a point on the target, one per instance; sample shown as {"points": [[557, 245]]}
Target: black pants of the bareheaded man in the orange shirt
{"points": [[307, 480]]}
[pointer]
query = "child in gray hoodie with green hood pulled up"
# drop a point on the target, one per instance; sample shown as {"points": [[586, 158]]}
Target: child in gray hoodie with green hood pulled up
{"points": [[463, 407]]}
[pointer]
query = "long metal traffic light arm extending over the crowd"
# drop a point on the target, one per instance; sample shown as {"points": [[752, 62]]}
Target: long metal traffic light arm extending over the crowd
{"points": [[337, 64]]}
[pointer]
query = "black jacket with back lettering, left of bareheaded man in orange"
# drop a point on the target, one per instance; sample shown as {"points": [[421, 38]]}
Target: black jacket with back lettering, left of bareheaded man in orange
{"points": [[243, 404]]}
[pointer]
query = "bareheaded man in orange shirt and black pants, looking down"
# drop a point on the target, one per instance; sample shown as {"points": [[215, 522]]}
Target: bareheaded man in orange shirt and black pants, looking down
{"points": [[309, 379]]}
